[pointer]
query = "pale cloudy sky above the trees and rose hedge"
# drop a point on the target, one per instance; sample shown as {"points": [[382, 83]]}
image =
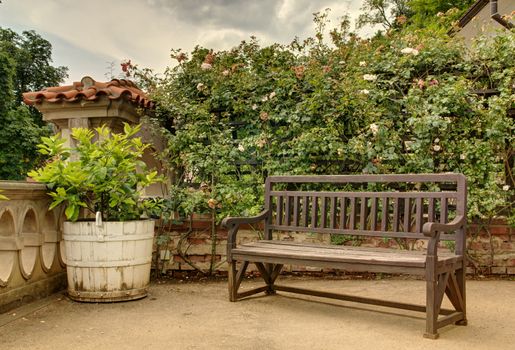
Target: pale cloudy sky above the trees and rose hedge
{"points": [[87, 35]]}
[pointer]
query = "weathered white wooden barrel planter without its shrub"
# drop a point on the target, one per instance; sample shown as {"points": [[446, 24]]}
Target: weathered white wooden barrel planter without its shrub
{"points": [[110, 262]]}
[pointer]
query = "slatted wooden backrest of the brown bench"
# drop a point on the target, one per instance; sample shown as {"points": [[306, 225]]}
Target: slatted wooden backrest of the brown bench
{"points": [[369, 205]]}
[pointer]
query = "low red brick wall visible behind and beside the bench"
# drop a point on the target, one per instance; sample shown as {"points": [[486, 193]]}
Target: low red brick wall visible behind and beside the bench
{"points": [[491, 248]]}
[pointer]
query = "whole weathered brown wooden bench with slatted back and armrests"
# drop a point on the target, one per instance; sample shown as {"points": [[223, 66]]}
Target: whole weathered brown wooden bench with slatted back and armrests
{"points": [[428, 207]]}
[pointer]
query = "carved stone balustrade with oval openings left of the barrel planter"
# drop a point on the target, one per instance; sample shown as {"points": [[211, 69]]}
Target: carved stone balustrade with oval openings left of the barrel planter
{"points": [[29, 245]]}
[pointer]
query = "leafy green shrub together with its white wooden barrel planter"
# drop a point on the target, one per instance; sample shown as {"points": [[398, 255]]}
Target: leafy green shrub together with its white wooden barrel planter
{"points": [[109, 259]]}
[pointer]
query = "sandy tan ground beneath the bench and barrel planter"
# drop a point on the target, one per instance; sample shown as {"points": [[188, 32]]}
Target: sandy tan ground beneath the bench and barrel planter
{"points": [[198, 316]]}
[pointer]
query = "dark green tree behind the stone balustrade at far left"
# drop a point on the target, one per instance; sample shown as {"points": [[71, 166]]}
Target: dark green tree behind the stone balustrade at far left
{"points": [[25, 64]]}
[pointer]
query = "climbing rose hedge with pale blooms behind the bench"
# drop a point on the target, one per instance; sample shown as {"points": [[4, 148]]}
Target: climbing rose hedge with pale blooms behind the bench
{"points": [[401, 103]]}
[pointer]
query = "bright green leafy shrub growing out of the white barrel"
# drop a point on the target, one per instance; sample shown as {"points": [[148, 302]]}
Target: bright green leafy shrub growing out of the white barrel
{"points": [[105, 175]]}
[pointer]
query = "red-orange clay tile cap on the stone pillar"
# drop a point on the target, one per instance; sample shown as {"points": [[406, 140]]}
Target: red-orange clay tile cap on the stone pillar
{"points": [[90, 90]]}
